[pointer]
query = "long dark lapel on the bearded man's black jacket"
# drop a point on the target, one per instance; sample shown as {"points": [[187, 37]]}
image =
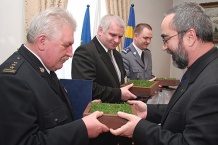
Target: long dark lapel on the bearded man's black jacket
{"points": [[191, 75]]}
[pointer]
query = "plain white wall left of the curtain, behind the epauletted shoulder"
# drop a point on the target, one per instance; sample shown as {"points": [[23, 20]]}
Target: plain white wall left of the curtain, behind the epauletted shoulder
{"points": [[12, 27]]}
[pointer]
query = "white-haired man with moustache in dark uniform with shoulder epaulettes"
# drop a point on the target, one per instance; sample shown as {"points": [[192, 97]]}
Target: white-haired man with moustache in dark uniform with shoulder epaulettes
{"points": [[34, 107]]}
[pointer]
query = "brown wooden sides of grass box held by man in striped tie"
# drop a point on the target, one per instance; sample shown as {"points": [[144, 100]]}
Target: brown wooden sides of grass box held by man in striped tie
{"points": [[143, 90]]}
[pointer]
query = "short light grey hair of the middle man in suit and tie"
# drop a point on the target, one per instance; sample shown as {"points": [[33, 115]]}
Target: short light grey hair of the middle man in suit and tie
{"points": [[107, 19]]}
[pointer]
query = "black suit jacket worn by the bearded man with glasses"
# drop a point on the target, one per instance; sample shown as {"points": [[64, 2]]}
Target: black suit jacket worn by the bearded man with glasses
{"points": [[191, 117]]}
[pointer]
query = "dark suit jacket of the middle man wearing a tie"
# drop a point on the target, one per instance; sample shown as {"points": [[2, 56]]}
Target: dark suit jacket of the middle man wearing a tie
{"points": [[91, 62]]}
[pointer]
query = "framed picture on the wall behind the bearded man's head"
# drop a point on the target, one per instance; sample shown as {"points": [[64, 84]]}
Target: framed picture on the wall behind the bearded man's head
{"points": [[211, 9]]}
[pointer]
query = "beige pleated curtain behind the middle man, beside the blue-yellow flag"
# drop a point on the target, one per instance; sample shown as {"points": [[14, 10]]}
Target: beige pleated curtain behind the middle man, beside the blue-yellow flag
{"points": [[120, 8]]}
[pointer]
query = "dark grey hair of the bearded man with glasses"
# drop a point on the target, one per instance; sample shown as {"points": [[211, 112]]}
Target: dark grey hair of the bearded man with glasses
{"points": [[191, 15]]}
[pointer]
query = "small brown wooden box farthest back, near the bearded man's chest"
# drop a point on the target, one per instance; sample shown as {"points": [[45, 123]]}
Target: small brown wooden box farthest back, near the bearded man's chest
{"points": [[168, 81]]}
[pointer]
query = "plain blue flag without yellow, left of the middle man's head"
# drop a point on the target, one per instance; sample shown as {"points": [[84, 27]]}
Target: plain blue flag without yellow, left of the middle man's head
{"points": [[86, 33]]}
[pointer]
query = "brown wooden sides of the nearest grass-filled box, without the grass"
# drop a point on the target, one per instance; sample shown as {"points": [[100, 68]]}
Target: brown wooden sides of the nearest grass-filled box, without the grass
{"points": [[110, 120]]}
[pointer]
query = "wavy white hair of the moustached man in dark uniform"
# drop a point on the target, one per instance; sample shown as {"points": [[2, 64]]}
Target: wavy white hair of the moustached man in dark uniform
{"points": [[50, 22]]}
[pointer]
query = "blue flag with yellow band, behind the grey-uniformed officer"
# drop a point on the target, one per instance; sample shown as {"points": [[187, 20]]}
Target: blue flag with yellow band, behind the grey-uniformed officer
{"points": [[130, 27]]}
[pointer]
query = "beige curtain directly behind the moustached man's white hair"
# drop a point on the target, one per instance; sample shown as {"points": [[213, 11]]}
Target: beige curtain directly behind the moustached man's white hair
{"points": [[33, 7]]}
